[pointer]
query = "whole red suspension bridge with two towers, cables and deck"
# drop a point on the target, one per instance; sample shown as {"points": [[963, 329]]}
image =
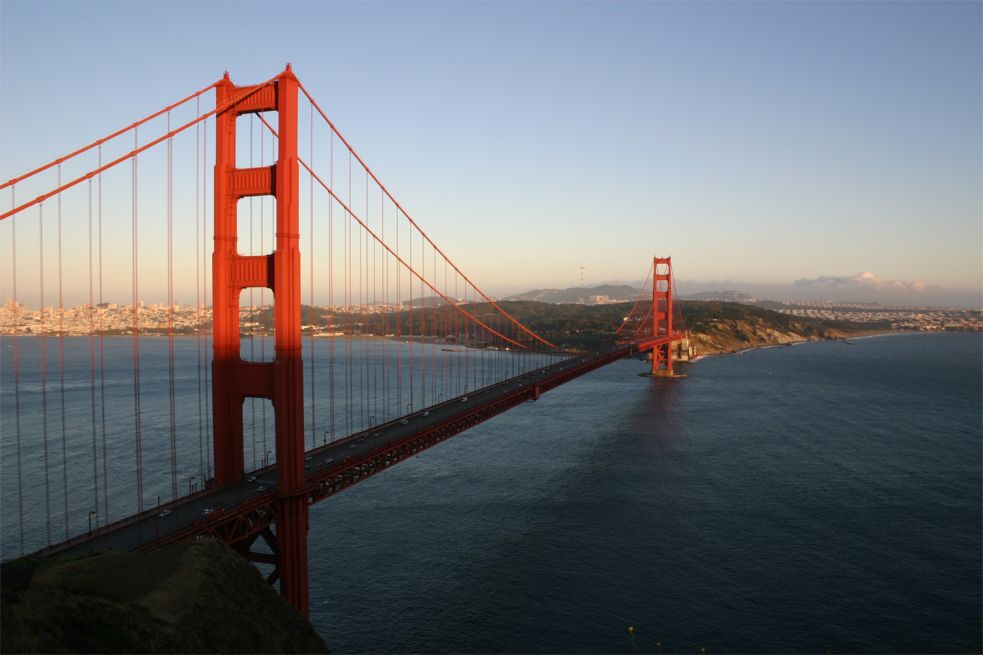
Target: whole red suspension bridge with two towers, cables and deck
{"points": [[113, 439]]}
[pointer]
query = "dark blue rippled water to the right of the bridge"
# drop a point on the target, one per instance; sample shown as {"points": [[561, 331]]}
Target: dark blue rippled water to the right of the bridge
{"points": [[824, 497]]}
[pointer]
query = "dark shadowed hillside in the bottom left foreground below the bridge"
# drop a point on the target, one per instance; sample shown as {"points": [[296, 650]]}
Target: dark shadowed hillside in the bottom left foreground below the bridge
{"points": [[195, 597]]}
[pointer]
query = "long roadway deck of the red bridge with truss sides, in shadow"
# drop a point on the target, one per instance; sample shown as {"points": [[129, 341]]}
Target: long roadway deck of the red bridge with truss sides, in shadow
{"points": [[238, 514]]}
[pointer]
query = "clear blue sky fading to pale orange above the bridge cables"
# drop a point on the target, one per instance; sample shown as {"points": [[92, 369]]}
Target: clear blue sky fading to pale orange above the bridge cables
{"points": [[821, 150]]}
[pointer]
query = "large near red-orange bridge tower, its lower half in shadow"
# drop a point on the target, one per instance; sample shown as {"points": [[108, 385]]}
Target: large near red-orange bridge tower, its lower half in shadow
{"points": [[281, 381]]}
